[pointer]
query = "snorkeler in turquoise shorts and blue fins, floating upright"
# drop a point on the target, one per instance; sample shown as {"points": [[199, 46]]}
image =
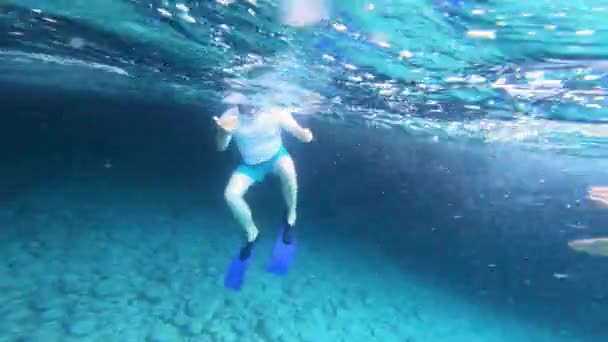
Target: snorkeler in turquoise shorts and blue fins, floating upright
{"points": [[257, 134]]}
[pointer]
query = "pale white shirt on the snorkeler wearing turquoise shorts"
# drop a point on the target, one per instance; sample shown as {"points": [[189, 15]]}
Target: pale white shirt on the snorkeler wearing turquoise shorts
{"points": [[258, 137]]}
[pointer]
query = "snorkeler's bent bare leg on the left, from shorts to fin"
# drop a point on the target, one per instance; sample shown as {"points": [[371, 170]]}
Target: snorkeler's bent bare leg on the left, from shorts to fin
{"points": [[234, 194]]}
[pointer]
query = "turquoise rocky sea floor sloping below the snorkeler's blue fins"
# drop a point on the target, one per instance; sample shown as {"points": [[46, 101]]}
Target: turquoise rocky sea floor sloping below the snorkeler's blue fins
{"points": [[74, 267]]}
